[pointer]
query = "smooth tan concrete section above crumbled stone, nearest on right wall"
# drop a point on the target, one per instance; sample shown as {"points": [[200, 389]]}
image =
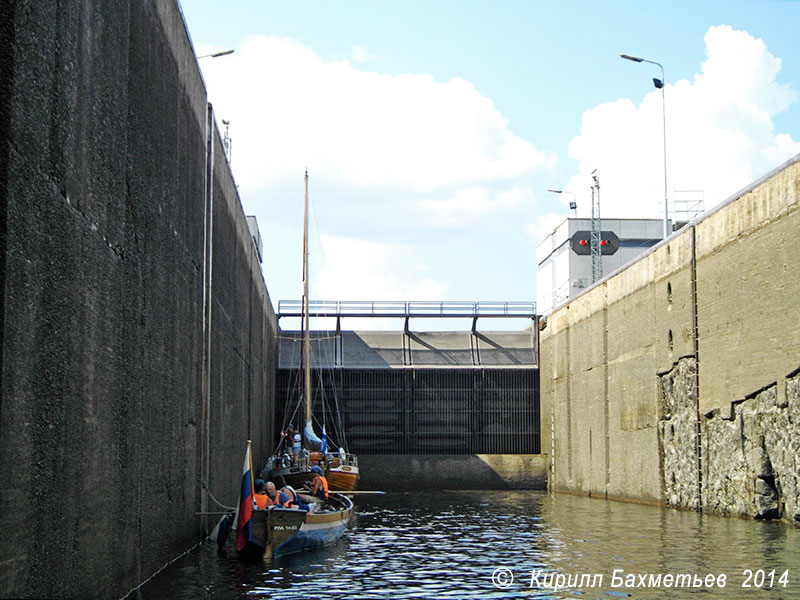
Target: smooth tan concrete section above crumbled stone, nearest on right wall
{"points": [[749, 316]]}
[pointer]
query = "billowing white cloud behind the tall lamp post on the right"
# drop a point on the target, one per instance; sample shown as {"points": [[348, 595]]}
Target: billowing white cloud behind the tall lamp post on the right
{"points": [[720, 132]]}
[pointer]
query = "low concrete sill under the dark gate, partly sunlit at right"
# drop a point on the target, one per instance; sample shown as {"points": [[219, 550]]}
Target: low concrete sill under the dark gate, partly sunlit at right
{"points": [[404, 472]]}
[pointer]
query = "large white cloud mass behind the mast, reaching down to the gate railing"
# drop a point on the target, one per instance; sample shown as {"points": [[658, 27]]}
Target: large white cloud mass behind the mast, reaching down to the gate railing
{"points": [[392, 160]]}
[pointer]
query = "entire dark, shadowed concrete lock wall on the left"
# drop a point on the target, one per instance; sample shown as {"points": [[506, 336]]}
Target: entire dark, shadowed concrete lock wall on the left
{"points": [[107, 431]]}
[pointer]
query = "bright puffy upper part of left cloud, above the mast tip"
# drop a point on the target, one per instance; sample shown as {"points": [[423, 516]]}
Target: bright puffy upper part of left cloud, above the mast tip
{"points": [[365, 130]]}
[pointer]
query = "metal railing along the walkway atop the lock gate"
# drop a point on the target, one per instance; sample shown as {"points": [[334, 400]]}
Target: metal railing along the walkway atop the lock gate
{"points": [[388, 308]]}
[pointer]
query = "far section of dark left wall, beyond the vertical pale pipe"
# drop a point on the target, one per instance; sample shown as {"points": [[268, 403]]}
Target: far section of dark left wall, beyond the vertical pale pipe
{"points": [[243, 351]]}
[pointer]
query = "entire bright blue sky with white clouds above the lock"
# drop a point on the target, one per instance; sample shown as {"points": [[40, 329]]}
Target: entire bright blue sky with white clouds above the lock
{"points": [[432, 130]]}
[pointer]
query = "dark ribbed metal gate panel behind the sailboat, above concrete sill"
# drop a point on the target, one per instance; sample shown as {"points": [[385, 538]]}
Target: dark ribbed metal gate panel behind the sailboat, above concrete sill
{"points": [[431, 410]]}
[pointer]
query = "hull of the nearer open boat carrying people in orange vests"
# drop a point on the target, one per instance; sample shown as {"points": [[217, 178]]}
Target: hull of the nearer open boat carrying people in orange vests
{"points": [[282, 531]]}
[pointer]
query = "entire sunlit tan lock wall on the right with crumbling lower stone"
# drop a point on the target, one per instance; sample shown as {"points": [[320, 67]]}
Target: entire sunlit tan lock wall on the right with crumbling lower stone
{"points": [[644, 409]]}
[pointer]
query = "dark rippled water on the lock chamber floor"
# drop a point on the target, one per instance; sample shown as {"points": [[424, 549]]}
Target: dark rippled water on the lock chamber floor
{"points": [[450, 544]]}
